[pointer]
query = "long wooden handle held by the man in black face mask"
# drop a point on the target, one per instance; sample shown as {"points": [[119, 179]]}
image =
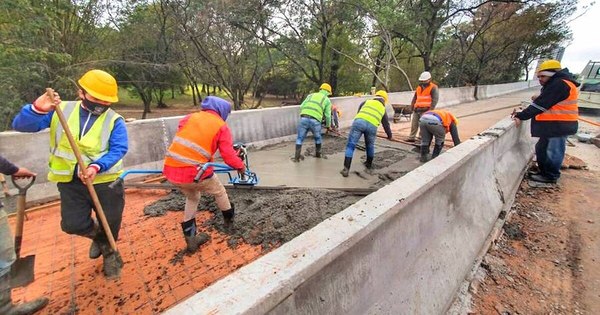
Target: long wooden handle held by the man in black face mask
{"points": [[82, 167]]}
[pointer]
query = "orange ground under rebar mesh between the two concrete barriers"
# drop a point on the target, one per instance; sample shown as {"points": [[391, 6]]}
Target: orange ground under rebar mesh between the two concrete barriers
{"points": [[152, 279]]}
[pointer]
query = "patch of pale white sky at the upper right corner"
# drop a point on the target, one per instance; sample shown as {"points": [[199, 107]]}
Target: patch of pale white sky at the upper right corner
{"points": [[585, 45]]}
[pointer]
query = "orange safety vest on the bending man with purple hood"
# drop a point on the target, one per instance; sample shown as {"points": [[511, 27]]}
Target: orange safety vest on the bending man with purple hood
{"points": [[192, 144]]}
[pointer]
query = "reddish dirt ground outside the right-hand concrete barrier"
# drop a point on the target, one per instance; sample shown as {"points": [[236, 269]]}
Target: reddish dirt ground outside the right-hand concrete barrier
{"points": [[547, 260]]}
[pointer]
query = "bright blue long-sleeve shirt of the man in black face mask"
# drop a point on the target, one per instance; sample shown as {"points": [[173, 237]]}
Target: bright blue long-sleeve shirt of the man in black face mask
{"points": [[29, 120]]}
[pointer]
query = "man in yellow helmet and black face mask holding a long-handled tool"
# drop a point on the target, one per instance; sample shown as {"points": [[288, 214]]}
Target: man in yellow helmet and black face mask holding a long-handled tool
{"points": [[101, 135]]}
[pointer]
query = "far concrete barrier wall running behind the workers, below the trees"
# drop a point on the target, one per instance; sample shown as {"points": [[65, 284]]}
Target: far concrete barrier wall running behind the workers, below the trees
{"points": [[148, 139]]}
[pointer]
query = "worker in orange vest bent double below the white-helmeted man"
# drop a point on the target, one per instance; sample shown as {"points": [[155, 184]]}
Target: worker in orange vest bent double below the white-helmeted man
{"points": [[436, 123]]}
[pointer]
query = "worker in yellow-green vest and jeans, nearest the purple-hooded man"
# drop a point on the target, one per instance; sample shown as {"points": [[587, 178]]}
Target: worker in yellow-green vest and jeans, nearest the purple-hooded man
{"points": [[313, 110]]}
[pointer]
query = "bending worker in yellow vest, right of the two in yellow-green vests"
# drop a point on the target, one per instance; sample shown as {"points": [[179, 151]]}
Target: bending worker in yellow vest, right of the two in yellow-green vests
{"points": [[370, 114]]}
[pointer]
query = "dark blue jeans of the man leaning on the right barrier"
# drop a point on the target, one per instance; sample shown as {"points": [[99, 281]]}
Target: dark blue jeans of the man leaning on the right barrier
{"points": [[550, 153]]}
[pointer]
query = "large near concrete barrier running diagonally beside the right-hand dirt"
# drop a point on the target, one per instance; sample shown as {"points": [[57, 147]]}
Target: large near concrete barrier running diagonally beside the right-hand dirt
{"points": [[404, 249]]}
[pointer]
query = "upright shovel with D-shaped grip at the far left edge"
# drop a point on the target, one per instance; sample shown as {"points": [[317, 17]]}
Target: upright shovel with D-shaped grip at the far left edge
{"points": [[21, 272]]}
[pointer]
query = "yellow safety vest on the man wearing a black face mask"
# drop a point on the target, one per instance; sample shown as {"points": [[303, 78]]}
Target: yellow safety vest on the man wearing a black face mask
{"points": [[93, 145]]}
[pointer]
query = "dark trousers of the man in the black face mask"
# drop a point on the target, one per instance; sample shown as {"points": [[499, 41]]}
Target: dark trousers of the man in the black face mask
{"points": [[76, 207]]}
